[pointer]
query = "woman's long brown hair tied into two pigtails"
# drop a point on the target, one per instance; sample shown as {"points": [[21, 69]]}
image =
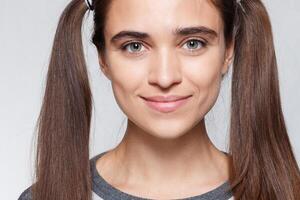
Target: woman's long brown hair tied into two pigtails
{"points": [[262, 162]]}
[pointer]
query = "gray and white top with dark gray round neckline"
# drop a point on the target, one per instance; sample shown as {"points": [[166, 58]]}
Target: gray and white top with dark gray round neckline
{"points": [[102, 190]]}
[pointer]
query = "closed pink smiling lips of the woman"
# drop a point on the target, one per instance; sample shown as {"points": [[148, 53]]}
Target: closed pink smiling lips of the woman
{"points": [[166, 103]]}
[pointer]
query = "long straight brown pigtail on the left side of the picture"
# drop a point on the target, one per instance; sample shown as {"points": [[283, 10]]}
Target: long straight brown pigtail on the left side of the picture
{"points": [[62, 162]]}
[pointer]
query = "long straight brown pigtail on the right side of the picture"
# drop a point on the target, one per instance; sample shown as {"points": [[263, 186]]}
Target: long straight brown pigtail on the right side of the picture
{"points": [[264, 166]]}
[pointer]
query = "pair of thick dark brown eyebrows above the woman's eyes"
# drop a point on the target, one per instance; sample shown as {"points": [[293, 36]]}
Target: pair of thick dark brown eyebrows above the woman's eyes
{"points": [[178, 32]]}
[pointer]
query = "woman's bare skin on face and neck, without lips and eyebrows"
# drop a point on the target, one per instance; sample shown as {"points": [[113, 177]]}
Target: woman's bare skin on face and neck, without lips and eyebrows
{"points": [[165, 155]]}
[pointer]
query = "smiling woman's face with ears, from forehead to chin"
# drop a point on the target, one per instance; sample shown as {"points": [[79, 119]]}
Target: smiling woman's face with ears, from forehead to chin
{"points": [[162, 48]]}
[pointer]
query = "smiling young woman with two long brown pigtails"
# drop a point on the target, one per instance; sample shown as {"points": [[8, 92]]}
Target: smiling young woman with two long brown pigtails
{"points": [[166, 61]]}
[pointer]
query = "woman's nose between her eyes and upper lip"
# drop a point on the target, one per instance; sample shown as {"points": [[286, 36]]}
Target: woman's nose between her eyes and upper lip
{"points": [[165, 69]]}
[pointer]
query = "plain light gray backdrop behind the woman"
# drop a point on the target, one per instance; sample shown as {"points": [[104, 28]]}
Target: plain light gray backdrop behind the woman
{"points": [[26, 33]]}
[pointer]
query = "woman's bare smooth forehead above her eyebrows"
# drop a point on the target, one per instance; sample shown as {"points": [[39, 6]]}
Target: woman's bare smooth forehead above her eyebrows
{"points": [[159, 16]]}
